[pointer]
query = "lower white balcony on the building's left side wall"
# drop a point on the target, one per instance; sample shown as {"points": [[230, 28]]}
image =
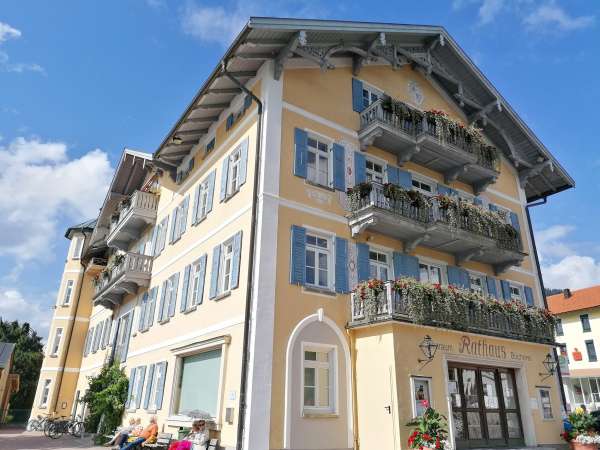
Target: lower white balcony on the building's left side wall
{"points": [[125, 275]]}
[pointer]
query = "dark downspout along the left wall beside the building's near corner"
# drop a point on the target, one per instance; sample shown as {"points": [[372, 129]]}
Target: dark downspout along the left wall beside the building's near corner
{"points": [[250, 280]]}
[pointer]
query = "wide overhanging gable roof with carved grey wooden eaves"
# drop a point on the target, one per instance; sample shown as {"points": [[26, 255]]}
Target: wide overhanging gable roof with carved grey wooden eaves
{"points": [[428, 49]]}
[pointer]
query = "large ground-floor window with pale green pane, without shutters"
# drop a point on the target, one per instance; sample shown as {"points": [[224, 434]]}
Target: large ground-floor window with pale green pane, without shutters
{"points": [[199, 382]]}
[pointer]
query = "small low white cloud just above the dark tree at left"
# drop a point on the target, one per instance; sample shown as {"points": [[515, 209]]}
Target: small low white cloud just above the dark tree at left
{"points": [[14, 306]]}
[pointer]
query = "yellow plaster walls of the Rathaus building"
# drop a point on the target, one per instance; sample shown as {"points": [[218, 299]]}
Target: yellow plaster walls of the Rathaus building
{"points": [[294, 330]]}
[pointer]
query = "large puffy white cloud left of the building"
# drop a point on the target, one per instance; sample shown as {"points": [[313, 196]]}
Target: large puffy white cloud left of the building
{"points": [[41, 186]]}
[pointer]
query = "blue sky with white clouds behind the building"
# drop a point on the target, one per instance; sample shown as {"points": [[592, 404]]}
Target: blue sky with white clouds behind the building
{"points": [[81, 80]]}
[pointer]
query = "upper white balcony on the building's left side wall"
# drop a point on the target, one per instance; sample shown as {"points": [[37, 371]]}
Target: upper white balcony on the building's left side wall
{"points": [[134, 214]]}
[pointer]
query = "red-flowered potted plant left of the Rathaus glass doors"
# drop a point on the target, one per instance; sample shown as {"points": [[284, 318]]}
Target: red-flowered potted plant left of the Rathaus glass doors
{"points": [[430, 430]]}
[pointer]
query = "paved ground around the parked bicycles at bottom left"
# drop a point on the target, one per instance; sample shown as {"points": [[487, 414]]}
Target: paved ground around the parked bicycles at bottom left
{"points": [[19, 439]]}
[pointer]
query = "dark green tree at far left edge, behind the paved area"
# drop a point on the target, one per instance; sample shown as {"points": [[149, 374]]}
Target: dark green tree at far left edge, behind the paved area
{"points": [[28, 357]]}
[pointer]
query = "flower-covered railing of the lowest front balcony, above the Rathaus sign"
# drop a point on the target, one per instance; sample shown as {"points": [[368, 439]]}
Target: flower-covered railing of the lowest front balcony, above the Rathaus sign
{"points": [[392, 304]]}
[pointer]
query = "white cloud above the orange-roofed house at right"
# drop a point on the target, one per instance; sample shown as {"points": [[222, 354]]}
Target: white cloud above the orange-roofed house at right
{"points": [[561, 266]]}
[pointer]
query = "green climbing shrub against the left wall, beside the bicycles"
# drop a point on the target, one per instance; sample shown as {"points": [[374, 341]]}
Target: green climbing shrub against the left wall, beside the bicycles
{"points": [[105, 399]]}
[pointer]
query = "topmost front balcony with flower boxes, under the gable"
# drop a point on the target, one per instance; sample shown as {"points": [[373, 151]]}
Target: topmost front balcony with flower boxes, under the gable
{"points": [[431, 140]]}
